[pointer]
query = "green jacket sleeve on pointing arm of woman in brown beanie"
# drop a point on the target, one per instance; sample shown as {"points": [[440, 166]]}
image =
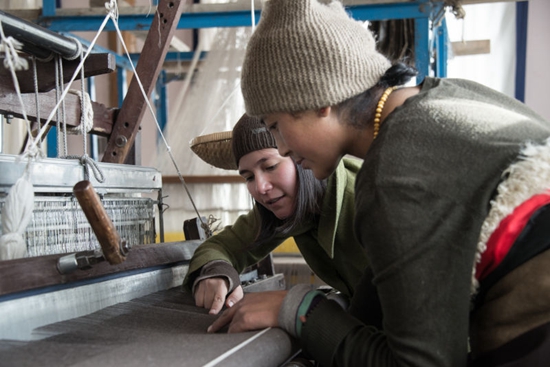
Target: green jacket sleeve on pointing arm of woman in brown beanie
{"points": [[232, 245]]}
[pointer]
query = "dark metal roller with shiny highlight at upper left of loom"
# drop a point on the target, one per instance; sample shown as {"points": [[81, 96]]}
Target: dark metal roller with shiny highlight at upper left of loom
{"points": [[37, 40]]}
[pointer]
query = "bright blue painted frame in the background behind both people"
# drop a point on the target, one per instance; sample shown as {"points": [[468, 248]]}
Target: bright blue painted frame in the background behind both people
{"points": [[422, 11]]}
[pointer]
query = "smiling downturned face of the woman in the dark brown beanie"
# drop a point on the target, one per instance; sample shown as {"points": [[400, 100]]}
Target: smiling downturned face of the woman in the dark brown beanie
{"points": [[271, 180]]}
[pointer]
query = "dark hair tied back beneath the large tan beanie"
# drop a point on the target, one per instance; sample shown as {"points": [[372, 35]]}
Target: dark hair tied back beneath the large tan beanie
{"points": [[358, 111]]}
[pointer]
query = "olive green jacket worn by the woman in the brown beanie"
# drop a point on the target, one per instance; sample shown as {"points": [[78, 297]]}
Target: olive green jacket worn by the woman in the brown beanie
{"points": [[329, 246]]}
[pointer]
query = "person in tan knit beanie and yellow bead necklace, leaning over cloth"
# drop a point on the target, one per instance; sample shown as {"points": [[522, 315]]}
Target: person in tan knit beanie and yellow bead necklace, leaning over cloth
{"points": [[452, 200]]}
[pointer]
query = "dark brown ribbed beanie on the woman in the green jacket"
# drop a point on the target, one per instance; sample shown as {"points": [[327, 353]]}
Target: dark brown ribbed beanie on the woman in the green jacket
{"points": [[249, 135]]}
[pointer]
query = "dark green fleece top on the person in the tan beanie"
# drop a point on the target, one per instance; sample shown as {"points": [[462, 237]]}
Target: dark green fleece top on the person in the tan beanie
{"points": [[422, 195]]}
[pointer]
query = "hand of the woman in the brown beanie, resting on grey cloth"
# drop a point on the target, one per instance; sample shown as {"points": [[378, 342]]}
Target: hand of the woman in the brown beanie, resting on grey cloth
{"points": [[210, 293]]}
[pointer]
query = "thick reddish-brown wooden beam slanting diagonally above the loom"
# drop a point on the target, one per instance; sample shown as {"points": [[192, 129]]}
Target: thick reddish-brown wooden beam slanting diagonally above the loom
{"points": [[152, 57]]}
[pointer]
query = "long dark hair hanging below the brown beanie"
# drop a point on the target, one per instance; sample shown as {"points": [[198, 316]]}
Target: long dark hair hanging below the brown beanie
{"points": [[309, 197]]}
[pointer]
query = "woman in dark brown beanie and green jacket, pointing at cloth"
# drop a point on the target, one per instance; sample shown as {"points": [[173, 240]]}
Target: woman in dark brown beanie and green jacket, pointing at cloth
{"points": [[289, 201]]}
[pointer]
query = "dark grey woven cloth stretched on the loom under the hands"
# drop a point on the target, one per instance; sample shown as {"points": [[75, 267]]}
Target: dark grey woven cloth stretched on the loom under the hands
{"points": [[161, 329]]}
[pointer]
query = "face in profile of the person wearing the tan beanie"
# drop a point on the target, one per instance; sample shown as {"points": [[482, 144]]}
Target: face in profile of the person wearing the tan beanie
{"points": [[312, 138]]}
